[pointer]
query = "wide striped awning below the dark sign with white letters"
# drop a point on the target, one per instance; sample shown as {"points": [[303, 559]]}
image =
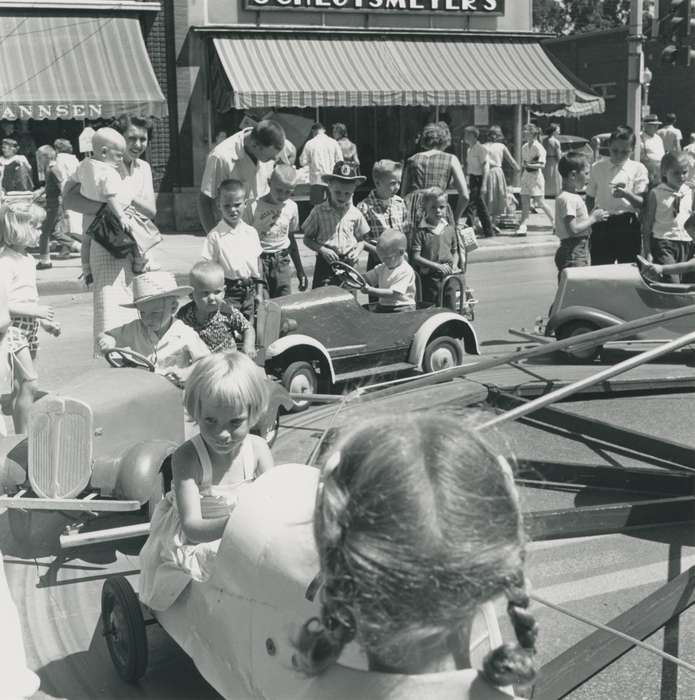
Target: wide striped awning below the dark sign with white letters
{"points": [[361, 71]]}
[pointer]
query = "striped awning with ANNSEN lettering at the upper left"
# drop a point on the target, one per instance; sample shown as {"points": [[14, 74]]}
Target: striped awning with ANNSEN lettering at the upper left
{"points": [[75, 67]]}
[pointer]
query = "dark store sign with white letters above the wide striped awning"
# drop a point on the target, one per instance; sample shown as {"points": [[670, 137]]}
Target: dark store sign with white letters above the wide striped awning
{"points": [[423, 6]]}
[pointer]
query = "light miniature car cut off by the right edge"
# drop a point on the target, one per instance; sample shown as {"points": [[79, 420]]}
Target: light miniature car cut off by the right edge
{"points": [[589, 298]]}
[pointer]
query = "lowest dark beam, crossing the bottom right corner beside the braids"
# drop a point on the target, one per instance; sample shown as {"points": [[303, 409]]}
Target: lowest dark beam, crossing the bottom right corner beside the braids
{"points": [[588, 657]]}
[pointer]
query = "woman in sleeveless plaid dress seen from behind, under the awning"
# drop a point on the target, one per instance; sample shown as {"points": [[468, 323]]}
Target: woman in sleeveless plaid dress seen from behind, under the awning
{"points": [[433, 167]]}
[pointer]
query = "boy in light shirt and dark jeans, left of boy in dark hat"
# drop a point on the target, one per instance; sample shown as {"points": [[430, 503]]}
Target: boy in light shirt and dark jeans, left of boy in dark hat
{"points": [[276, 219]]}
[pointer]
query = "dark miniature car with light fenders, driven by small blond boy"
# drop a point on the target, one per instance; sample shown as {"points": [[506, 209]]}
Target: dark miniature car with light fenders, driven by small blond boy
{"points": [[324, 337]]}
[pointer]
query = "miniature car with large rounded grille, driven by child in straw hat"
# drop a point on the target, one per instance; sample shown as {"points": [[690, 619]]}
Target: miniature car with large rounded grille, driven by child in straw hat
{"points": [[100, 444]]}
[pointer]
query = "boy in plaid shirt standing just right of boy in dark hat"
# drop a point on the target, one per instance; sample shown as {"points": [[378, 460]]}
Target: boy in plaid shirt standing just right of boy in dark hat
{"points": [[382, 208]]}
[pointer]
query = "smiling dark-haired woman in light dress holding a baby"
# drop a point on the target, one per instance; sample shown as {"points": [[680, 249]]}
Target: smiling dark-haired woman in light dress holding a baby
{"points": [[111, 277]]}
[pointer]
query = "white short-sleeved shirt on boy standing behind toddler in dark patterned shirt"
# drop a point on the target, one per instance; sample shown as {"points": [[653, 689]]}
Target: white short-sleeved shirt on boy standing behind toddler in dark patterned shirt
{"points": [[236, 249]]}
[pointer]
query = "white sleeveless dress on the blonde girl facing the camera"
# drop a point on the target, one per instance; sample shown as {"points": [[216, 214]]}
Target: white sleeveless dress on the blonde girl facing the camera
{"points": [[168, 562]]}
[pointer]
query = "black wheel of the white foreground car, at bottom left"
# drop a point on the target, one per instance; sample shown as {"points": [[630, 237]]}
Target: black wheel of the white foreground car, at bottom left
{"points": [[123, 626]]}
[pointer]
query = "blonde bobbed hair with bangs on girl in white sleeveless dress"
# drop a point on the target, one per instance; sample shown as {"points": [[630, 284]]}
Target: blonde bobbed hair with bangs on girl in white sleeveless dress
{"points": [[227, 378]]}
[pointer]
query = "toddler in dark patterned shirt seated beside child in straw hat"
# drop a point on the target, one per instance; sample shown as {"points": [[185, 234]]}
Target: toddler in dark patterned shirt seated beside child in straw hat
{"points": [[215, 322]]}
